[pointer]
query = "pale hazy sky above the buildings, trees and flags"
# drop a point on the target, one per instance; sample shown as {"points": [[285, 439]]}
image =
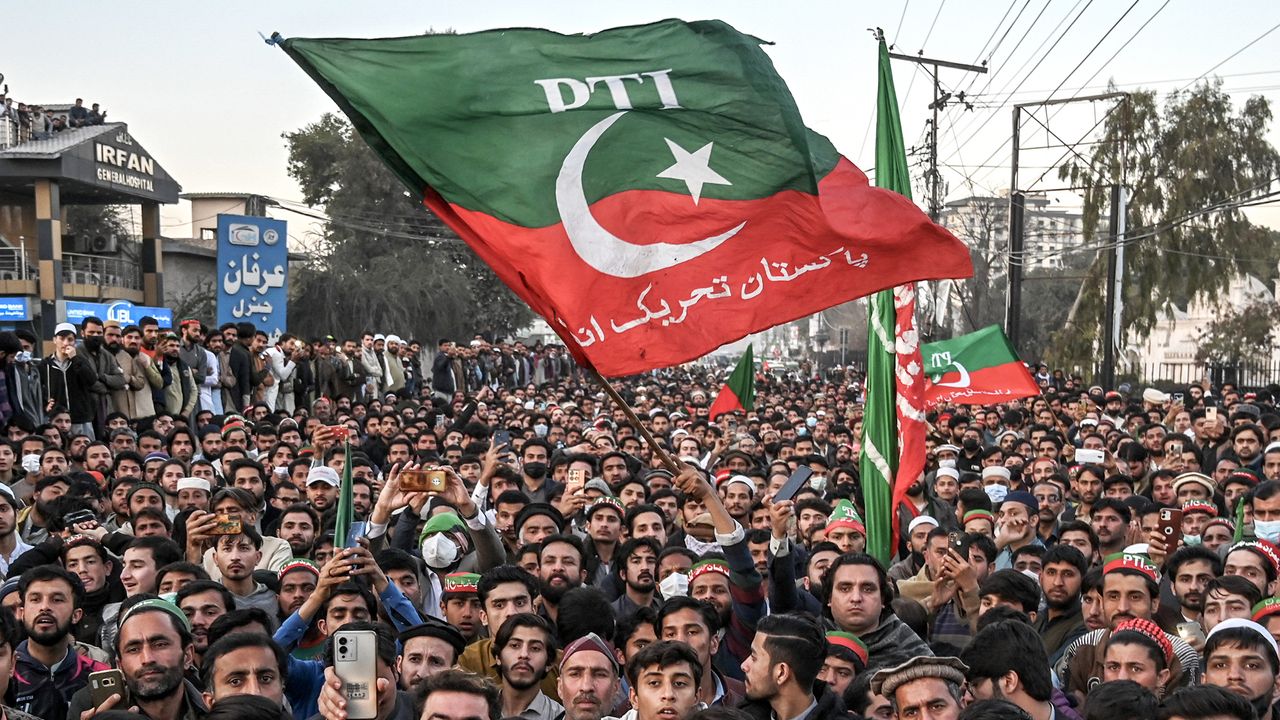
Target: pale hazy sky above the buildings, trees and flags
{"points": [[204, 94]]}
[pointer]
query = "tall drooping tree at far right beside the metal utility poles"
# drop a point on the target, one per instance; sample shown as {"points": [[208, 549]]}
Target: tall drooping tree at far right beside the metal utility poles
{"points": [[1187, 167]]}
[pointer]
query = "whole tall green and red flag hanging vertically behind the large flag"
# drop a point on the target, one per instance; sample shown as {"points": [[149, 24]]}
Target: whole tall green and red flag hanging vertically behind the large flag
{"points": [[893, 443]]}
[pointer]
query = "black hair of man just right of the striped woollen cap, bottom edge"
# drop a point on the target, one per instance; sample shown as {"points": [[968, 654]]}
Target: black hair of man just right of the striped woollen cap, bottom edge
{"points": [[1011, 646]]}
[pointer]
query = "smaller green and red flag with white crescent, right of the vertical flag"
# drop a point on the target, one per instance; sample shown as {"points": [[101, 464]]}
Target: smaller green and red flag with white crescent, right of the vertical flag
{"points": [[976, 370]]}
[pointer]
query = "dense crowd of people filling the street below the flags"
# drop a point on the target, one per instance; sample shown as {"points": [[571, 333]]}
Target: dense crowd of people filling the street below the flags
{"points": [[172, 541]]}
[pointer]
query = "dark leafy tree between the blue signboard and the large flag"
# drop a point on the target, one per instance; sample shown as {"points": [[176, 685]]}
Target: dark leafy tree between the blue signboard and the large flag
{"points": [[383, 262]]}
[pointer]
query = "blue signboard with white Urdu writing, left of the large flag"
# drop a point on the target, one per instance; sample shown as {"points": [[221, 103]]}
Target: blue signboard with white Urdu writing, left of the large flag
{"points": [[253, 272]]}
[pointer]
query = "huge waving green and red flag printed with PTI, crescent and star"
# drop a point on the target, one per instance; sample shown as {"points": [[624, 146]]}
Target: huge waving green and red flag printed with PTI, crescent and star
{"points": [[652, 190]]}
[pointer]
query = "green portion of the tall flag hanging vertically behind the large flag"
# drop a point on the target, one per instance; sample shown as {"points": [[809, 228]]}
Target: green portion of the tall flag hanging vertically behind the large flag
{"points": [[879, 461]]}
